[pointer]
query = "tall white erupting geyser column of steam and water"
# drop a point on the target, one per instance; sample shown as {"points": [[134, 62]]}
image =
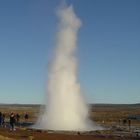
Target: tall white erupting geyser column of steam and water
{"points": [[65, 108]]}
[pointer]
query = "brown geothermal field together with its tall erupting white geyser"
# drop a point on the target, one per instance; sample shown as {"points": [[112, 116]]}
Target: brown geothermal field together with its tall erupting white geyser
{"points": [[65, 114]]}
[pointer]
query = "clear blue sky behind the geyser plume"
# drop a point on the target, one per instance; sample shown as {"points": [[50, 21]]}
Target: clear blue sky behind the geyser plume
{"points": [[108, 49]]}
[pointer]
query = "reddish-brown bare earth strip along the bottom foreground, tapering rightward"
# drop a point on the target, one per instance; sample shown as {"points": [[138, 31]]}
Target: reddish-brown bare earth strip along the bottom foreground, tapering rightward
{"points": [[39, 135]]}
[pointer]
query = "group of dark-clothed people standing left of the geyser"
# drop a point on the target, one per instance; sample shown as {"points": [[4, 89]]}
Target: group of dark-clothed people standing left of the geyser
{"points": [[13, 120]]}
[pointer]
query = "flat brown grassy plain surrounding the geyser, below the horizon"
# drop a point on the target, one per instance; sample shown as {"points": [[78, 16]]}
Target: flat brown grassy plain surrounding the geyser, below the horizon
{"points": [[118, 121]]}
